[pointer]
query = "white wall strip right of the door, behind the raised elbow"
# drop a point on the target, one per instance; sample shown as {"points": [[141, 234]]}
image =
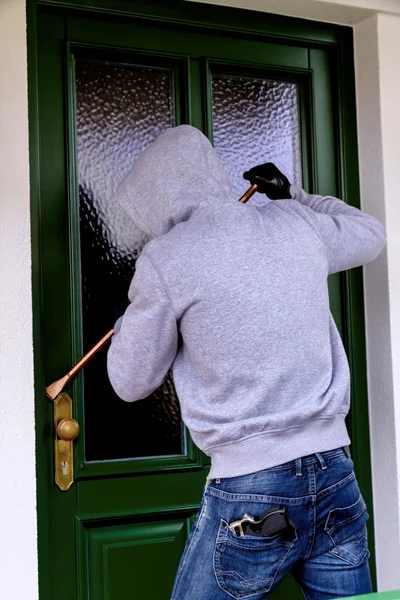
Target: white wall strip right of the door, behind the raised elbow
{"points": [[377, 58]]}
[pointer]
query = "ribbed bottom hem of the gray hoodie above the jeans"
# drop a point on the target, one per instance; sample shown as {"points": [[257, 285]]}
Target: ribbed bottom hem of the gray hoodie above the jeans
{"points": [[273, 449]]}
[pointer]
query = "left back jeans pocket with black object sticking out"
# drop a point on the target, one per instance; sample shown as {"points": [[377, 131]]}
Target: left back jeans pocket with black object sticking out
{"points": [[247, 565]]}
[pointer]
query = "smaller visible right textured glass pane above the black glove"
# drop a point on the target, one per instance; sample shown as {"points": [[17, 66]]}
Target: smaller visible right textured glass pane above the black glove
{"points": [[256, 121]]}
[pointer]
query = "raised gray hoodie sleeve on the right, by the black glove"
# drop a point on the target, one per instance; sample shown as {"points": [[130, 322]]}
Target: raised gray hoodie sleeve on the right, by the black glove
{"points": [[352, 238]]}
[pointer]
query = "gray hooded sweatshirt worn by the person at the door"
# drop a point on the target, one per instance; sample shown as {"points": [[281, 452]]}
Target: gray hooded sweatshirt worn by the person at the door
{"points": [[235, 297]]}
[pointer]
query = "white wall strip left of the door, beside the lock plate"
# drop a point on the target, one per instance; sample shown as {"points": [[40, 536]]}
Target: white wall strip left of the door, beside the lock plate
{"points": [[18, 548]]}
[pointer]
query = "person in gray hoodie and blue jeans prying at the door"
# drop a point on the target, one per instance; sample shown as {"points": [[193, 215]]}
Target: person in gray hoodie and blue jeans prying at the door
{"points": [[234, 297]]}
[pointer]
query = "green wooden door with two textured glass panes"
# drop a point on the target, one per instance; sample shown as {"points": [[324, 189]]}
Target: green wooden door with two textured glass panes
{"points": [[105, 86]]}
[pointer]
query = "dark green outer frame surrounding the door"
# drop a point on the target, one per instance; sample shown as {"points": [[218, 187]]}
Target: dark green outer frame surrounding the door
{"points": [[249, 24]]}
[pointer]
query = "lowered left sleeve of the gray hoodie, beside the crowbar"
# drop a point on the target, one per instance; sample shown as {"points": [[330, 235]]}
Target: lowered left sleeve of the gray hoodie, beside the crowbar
{"points": [[145, 341]]}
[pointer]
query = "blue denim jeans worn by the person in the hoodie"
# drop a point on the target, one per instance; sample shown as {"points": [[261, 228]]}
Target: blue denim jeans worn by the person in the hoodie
{"points": [[327, 554]]}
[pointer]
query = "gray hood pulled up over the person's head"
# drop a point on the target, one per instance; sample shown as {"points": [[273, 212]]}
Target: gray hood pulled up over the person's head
{"points": [[173, 177]]}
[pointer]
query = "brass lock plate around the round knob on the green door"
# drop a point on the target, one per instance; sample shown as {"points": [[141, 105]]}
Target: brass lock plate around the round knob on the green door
{"points": [[63, 449]]}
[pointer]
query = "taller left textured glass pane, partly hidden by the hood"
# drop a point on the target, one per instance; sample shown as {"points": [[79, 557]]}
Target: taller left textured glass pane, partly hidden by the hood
{"points": [[120, 109]]}
